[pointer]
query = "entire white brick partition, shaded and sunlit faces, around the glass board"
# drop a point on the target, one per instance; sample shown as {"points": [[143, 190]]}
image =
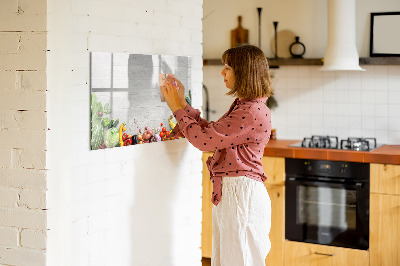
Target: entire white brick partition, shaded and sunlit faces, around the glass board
{"points": [[100, 204]]}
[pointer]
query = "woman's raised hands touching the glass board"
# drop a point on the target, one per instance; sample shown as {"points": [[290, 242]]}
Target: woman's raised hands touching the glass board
{"points": [[173, 95]]}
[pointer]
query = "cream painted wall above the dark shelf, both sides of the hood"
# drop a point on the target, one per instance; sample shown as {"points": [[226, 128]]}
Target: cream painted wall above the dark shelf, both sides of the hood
{"points": [[306, 19]]}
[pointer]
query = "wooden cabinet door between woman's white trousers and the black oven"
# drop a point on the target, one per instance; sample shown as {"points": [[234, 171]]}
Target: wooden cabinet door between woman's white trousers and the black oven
{"points": [[277, 233]]}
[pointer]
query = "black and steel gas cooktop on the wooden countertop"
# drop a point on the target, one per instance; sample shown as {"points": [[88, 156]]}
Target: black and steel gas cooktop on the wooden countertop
{"points": [[332, 142]]}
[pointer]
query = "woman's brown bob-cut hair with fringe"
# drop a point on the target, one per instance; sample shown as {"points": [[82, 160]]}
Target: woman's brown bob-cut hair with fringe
{"points": [[250, 66]]}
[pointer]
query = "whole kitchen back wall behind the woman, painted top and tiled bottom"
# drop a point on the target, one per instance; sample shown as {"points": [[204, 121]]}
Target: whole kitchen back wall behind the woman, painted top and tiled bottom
{"points": [[311, 102]]}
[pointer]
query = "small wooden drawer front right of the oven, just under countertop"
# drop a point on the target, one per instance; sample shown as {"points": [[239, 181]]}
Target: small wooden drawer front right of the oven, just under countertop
{"points": [[385, 178]]}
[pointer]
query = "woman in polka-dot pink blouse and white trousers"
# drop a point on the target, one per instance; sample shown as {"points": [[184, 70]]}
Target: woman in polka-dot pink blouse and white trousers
{"points": [[242, 208]]}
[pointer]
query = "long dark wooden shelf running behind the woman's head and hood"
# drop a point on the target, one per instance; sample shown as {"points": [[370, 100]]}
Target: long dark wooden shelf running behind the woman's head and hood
{"points": [[274, 63]]}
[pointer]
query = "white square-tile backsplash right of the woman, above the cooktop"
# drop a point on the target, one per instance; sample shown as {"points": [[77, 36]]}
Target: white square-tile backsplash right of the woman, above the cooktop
{"points": [[343, 103]]}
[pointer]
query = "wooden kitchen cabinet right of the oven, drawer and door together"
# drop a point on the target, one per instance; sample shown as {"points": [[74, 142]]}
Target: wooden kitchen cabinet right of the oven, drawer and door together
{"points": [[384, 236]]}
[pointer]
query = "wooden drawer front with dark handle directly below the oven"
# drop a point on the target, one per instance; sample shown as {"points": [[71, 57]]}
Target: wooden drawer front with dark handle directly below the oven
{"points": [[304, 254]]}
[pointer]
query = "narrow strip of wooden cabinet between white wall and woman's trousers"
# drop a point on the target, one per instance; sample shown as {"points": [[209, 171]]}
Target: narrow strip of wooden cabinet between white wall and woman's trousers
{"points": [[206, 232]]}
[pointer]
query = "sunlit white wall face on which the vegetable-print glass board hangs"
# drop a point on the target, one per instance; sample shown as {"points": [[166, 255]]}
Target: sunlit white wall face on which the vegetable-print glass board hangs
{"points": [[137, 205]]}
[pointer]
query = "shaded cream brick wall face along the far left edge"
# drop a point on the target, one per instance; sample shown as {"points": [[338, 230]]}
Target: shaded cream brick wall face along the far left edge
{"points": [[23, 133]]}
